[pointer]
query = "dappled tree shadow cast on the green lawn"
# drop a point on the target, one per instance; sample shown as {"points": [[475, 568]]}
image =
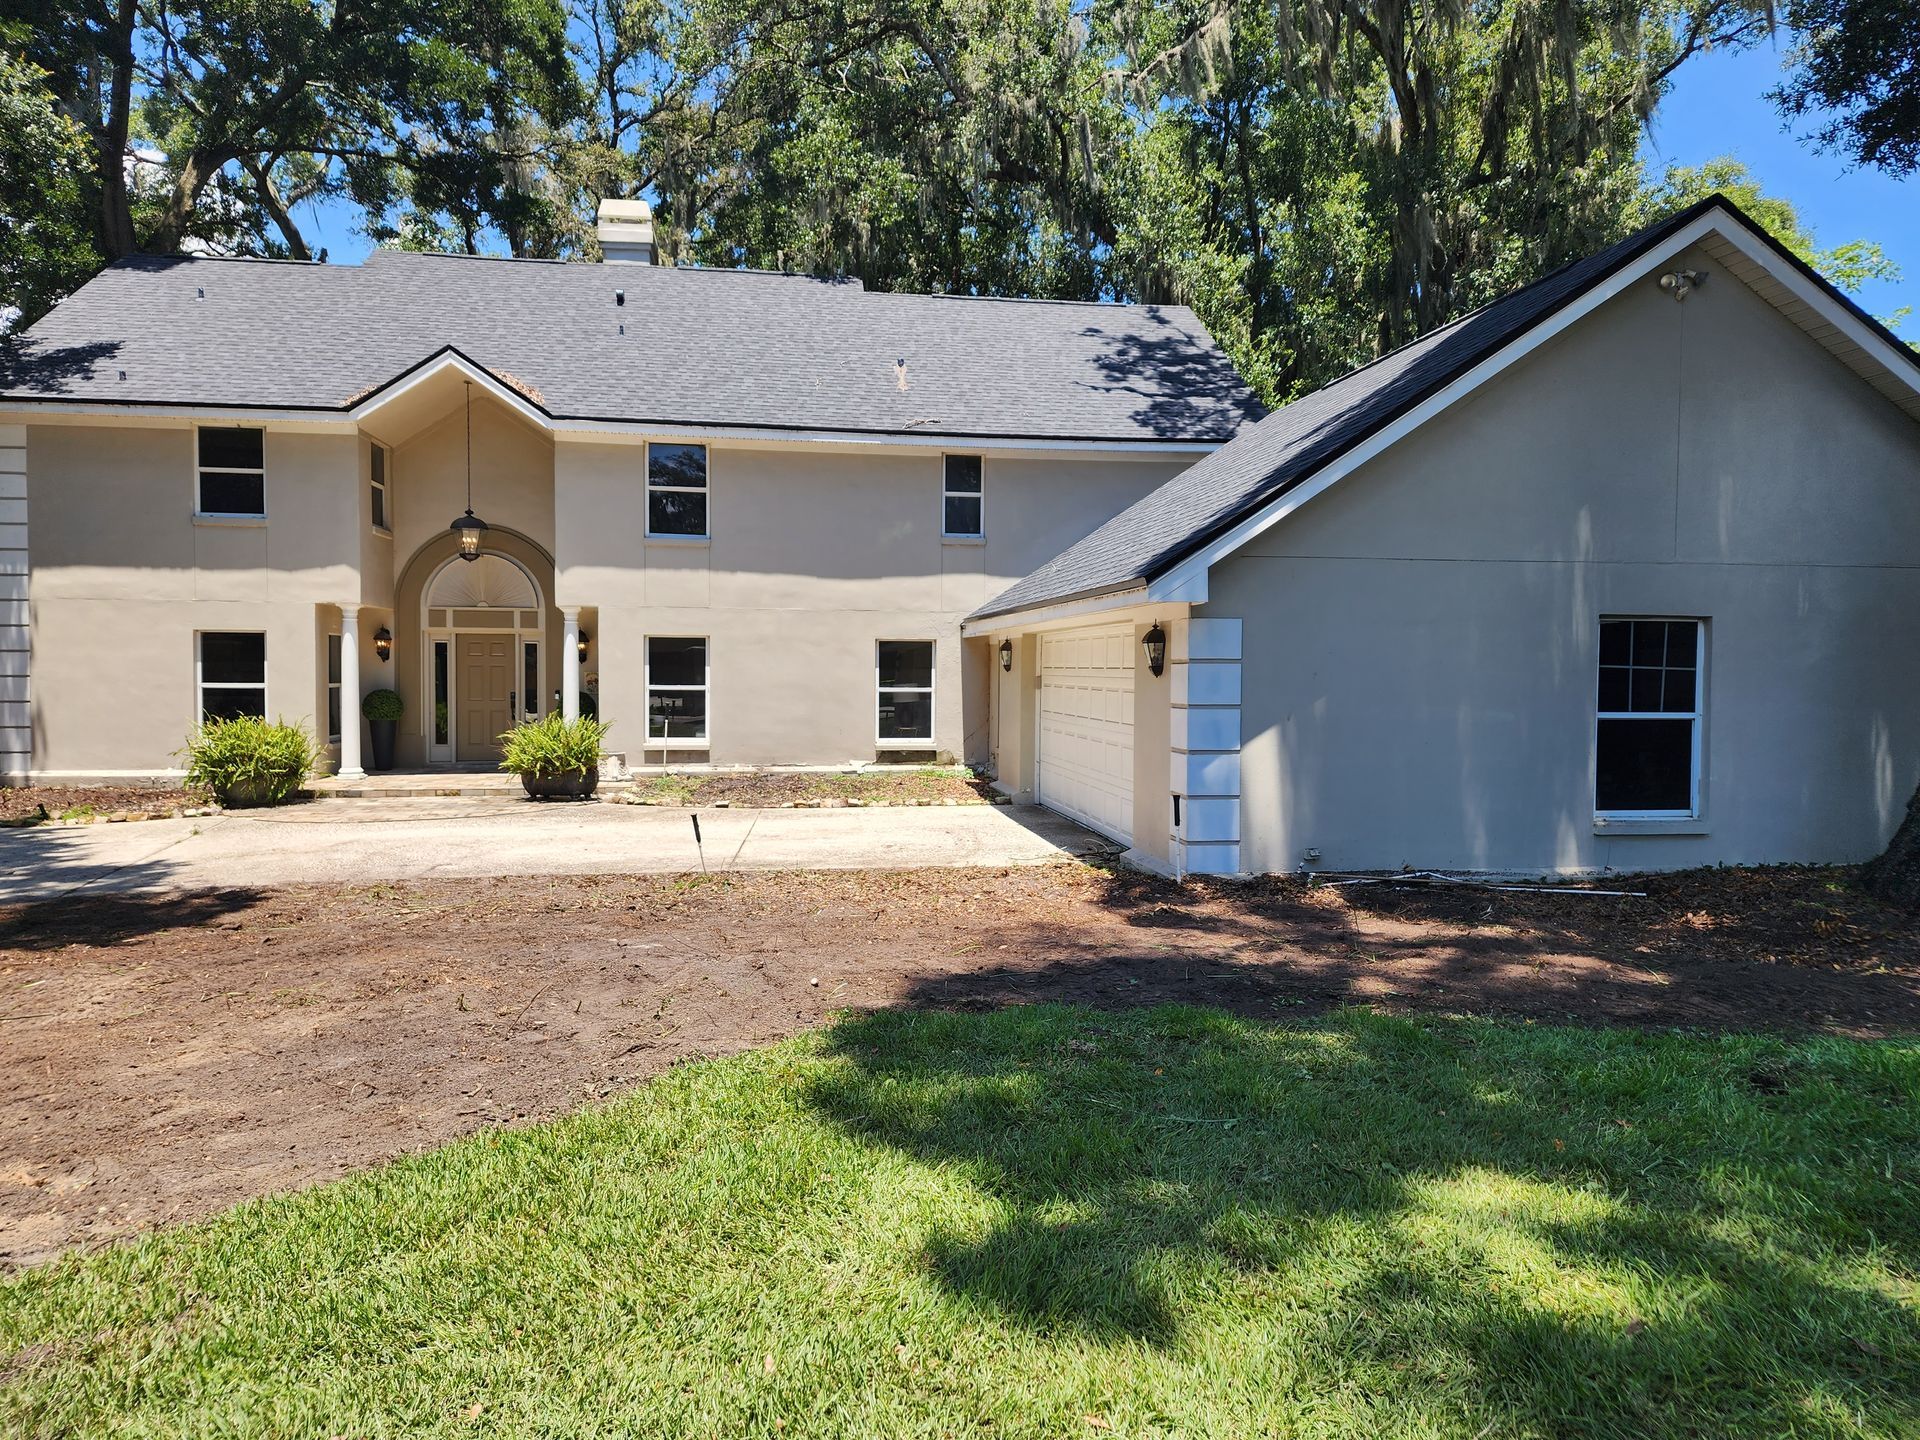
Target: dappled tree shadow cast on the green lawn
{"points": [[1600, 1236]]}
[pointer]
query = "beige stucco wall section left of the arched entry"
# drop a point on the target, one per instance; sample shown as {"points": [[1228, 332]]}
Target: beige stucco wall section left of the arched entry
{"points": [[124, 577]]}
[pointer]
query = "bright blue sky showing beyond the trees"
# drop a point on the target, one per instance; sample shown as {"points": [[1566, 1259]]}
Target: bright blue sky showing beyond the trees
{"points": [[1717, 108]]}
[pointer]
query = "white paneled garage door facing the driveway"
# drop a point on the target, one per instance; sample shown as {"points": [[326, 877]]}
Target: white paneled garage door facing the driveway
{"points": [[1086, 754]]}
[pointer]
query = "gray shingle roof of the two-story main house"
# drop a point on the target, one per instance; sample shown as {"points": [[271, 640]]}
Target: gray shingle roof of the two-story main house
{"points": [[709, 348]]}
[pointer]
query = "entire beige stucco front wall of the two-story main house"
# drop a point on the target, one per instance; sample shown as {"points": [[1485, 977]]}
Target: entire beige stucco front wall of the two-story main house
{"points": [[815, 558]]}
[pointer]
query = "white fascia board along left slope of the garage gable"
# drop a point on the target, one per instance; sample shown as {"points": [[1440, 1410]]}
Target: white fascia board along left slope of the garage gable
{"points": [[1188, 581]]}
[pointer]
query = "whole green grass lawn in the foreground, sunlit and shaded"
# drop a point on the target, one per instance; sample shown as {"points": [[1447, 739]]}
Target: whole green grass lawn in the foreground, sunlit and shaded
{"points": [[1067, 1224]]}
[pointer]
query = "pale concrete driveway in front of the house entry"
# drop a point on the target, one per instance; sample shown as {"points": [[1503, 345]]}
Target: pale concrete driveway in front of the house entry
{"points": [[370, 842]]}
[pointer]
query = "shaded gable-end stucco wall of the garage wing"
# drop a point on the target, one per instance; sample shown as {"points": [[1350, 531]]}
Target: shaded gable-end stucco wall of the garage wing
{"points": [[1420, 642]]}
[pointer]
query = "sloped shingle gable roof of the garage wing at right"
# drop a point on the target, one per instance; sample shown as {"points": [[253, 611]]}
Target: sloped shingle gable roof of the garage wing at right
{"points": [[1303, 441]]}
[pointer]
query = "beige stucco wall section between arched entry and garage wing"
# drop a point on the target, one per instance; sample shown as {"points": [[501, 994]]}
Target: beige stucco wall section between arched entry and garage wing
{"points": [[815, 558]]}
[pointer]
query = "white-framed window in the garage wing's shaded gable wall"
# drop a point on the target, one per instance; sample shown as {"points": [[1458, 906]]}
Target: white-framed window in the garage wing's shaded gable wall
{"points": [[1648, 719]]}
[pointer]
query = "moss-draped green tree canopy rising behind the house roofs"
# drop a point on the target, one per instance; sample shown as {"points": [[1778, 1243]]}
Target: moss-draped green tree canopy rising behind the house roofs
{"points": [[1322, 180]]}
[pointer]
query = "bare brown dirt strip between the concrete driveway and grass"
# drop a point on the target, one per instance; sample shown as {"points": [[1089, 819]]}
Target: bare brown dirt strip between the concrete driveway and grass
{"points": [[162, 1059]]}
